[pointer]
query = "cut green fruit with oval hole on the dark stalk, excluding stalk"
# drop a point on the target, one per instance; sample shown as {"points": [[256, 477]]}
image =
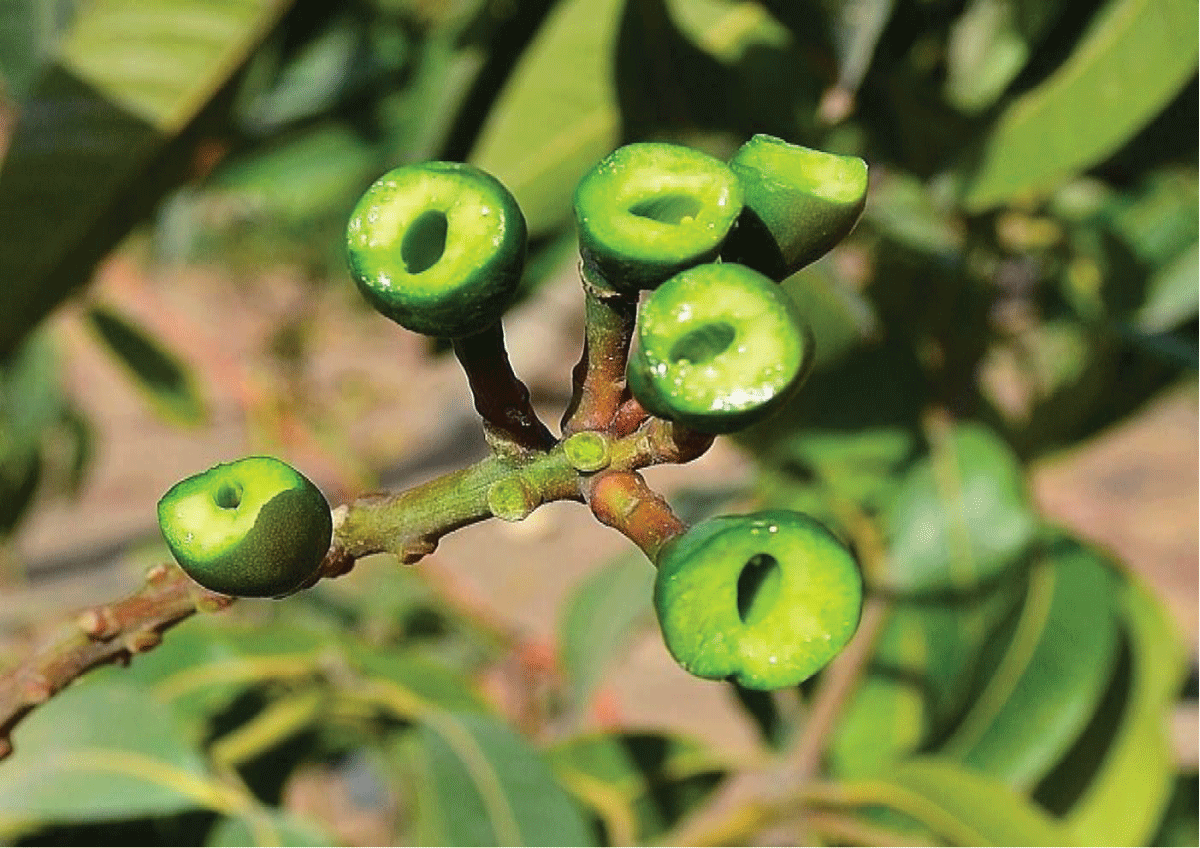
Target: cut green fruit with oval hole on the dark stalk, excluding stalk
{"points": [[439, 248]]}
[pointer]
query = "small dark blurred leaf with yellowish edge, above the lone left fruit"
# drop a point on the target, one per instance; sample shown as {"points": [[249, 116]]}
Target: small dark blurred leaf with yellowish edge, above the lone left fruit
{"points": [[159, 375]]}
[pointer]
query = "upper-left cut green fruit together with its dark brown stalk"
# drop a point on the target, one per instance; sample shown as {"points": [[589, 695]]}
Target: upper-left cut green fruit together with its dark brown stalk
{"points": [[440, 249]]}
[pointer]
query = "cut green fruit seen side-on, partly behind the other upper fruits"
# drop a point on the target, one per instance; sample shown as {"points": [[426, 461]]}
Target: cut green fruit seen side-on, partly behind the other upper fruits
{"points": [[799, 205]]}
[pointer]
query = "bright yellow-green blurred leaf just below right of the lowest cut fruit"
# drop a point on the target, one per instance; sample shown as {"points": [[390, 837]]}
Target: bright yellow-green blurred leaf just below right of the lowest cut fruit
{"points": [[887, 718]]}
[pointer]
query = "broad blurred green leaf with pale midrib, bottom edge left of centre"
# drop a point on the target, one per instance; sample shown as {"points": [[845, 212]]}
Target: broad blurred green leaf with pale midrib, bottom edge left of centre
{"points": [[475, 781]]}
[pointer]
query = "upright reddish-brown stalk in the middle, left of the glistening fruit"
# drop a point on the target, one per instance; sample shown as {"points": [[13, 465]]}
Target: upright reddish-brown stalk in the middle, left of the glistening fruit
{"points": [[599, 377]]}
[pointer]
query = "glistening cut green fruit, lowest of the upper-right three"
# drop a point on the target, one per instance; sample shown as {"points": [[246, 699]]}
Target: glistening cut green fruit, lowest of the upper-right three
{"points": [[719, 347]]}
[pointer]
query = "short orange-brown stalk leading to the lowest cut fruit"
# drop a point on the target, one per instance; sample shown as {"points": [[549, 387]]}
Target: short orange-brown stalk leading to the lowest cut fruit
{"points": [[625, 502]]}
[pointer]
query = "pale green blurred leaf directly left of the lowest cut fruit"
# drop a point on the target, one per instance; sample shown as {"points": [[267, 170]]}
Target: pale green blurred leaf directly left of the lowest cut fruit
{"points": [[602, 617]]}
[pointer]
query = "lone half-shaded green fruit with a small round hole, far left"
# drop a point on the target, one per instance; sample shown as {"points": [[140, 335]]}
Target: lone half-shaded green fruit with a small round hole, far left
{"points": [[255, 528]]}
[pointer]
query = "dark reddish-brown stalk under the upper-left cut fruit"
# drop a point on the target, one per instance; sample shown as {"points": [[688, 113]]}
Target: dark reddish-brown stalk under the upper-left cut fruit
{"points": [[502, 400]]}
